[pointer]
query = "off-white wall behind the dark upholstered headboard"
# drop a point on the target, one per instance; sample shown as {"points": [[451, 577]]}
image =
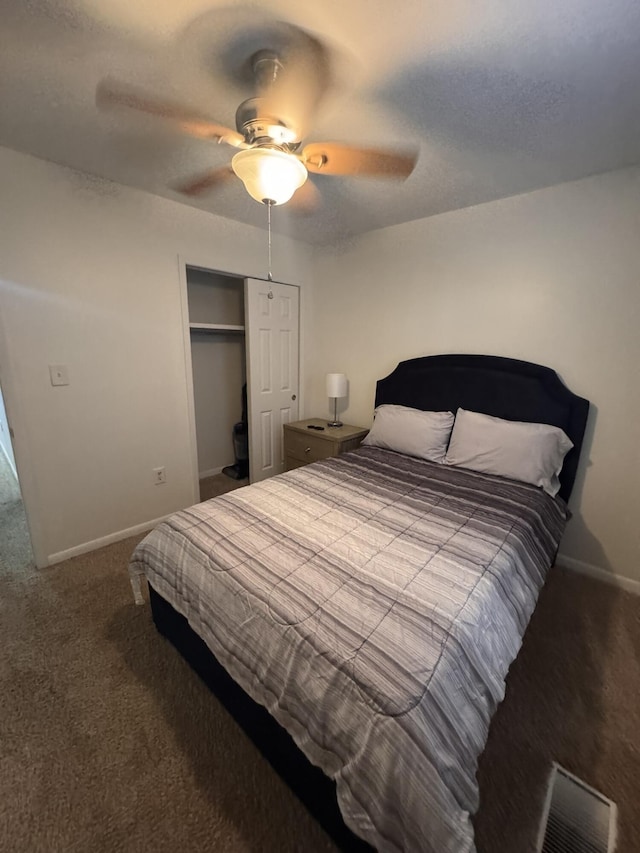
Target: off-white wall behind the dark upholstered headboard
{"points": [[551, 277]]}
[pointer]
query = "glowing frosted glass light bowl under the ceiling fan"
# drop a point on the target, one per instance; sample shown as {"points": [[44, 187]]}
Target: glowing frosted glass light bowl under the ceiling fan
{"points": [[269, 175]]}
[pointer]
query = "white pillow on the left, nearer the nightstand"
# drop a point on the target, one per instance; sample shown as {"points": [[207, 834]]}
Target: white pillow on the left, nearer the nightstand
{"points": [[411, 431]]}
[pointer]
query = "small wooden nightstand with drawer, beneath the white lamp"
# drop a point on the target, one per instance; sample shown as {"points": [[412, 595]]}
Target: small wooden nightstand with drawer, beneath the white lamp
{"points": [[303, 445]]}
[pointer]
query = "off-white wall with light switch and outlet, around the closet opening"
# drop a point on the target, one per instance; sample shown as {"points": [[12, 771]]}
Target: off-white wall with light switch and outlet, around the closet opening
{"points": [[90, 278]]}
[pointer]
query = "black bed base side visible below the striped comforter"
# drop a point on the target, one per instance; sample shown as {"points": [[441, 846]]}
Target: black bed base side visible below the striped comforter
{"points": [[315, 790]]}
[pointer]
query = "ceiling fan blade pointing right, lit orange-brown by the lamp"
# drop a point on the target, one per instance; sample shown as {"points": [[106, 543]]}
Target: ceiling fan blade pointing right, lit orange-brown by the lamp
{"points": [[332, 158]]}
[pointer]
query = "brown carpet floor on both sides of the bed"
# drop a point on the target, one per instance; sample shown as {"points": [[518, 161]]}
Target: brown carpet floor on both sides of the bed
{"points": [[110, 743]]}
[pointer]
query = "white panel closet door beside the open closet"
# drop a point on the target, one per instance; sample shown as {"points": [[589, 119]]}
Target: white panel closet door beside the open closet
{"points": [[272, 318]]}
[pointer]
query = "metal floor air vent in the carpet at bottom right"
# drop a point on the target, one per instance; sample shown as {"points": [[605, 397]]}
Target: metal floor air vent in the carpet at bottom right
{"points": [[576, 818]]}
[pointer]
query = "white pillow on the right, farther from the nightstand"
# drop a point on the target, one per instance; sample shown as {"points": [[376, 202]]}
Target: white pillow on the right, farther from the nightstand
{"points": [[532, 453]]}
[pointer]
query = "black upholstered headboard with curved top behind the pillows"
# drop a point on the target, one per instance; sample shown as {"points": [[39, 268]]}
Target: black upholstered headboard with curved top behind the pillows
{"points": [[503, 387]]}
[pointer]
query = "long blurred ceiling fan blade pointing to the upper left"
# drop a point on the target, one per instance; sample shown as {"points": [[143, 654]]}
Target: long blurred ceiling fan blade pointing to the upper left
{"points": [[109, 93]]}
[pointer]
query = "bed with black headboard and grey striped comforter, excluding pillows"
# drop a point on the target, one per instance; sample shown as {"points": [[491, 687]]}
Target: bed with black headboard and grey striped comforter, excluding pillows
{"points": [[358, 616]]}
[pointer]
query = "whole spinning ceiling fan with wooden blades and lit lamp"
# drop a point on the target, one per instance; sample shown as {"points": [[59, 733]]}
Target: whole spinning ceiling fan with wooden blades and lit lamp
{"points": [[289, 81]]}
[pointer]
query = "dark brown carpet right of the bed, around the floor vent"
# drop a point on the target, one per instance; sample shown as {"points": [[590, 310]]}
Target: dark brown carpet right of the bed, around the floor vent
{"points": [[573, 696]]}
